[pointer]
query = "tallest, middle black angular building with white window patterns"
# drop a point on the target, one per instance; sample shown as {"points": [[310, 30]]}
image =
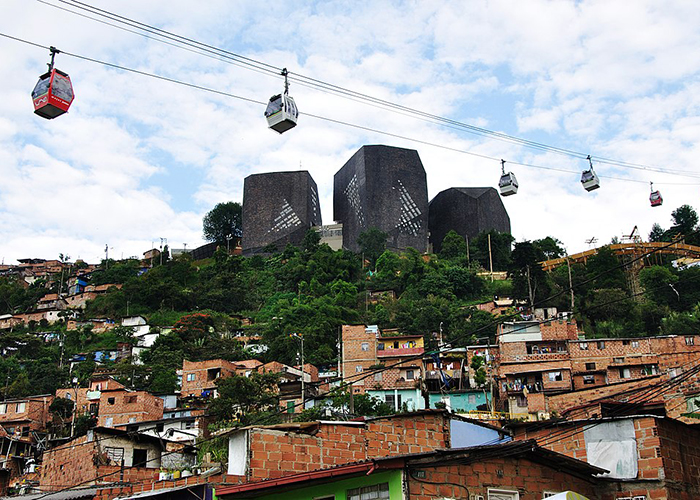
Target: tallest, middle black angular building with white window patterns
{"points": [[383, 187]]}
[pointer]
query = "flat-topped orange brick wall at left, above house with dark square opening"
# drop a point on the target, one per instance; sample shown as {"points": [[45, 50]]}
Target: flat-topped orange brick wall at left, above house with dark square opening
{"points": [[122, 406]]}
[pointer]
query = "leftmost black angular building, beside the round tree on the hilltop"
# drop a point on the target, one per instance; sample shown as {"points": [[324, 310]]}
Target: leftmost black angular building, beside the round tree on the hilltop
{"points": [[278, 208]]}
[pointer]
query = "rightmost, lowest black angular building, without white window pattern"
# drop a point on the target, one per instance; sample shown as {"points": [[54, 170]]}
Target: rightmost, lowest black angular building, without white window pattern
{"points": [[468, 211]]}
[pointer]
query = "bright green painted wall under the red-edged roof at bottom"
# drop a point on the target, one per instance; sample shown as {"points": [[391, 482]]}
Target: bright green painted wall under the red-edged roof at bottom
{"points": [[339, 488]]}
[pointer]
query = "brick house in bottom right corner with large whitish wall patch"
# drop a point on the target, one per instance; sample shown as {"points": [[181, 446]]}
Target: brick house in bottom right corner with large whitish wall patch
{"points": [[648, 456]]}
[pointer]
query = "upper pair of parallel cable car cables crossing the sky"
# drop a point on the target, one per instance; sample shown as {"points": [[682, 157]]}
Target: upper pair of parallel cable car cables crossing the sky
{"points": [[348, 92]]}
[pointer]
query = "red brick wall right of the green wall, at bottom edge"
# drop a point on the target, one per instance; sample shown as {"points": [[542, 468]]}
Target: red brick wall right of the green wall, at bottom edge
{"points": [[528, 478]]}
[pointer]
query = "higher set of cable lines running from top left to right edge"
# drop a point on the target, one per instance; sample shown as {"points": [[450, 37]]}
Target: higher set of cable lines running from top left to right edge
{"points": [[344, 92]]}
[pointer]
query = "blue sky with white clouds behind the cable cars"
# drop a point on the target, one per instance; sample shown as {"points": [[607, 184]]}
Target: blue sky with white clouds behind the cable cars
{"points": [[138, 159]]}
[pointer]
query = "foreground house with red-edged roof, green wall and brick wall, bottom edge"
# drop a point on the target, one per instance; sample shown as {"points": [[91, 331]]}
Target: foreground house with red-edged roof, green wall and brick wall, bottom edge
{"points": [[509, 471]]}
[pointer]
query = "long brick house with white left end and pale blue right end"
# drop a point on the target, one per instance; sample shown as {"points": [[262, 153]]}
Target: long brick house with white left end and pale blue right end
{"points": [[269, 452]]}
